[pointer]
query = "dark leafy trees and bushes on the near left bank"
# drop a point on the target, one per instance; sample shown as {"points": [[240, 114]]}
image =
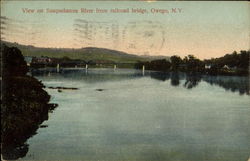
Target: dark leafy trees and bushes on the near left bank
{"points": [[24, 105]]}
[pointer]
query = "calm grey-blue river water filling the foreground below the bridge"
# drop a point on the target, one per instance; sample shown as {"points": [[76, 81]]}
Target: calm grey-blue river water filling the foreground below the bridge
{"points": [[155, 117]]}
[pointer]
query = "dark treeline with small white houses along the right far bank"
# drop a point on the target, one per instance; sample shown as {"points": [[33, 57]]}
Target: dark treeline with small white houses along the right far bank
{"points": [[230, 64]]}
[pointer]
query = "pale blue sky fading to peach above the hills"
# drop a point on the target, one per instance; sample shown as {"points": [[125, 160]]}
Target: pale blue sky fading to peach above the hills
{"points": [[204, 29]]}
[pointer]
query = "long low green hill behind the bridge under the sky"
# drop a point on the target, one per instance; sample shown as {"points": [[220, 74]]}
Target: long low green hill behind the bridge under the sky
{"points": [[88, 53]]}
